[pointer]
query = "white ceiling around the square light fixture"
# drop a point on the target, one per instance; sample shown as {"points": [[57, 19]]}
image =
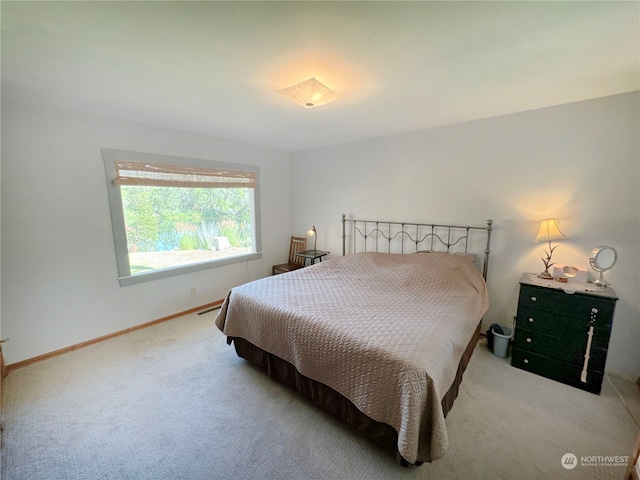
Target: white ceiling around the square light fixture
{"points": [[212, 67]]}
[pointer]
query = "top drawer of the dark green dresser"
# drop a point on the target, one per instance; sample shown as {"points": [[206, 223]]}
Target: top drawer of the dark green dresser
{"points": [[557, 302]]}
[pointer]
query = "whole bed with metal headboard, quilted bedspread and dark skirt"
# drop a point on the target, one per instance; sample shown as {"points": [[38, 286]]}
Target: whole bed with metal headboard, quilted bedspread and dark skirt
{"points": [[379, 336]]}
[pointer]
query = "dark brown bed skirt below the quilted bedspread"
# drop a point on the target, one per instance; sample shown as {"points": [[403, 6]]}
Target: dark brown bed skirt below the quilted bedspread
{"points": [[335, 403]]}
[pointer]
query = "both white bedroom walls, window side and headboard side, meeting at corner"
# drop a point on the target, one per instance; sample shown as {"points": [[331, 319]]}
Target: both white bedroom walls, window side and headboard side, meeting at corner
{"points": [[578, 162]]}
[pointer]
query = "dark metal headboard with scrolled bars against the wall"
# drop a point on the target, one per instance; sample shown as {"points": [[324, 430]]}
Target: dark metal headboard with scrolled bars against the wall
{"points": [[401, 237]]}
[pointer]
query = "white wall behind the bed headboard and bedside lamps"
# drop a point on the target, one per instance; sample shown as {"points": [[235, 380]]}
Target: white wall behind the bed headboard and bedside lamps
{"points": [[579, 163]]}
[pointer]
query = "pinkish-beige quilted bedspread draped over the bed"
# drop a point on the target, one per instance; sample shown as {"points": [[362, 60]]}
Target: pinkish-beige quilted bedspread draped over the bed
{"points": [[387, 331]]}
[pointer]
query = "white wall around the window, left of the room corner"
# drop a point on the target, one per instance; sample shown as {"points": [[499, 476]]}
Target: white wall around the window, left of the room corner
{"points": [[59, 276]]}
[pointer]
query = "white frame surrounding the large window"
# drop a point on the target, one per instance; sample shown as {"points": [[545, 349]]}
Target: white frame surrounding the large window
{"points": [[111, 156]]}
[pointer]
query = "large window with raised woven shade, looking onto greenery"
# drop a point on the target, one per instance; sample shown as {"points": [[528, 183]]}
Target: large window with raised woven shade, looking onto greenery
{"points": [[173, 215]]}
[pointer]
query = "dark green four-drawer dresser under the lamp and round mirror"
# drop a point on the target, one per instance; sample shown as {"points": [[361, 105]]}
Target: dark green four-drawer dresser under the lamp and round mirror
{"points": [[562, 331]]}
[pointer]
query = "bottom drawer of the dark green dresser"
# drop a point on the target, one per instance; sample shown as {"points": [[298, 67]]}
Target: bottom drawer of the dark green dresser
{"points": [[556, 370]]}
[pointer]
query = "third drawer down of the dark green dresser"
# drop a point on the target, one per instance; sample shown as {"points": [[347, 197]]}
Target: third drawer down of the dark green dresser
{"points": [[571, 350]]}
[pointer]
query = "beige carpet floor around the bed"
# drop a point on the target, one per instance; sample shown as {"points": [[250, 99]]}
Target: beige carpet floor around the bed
{"points": [[173, 401]]}
